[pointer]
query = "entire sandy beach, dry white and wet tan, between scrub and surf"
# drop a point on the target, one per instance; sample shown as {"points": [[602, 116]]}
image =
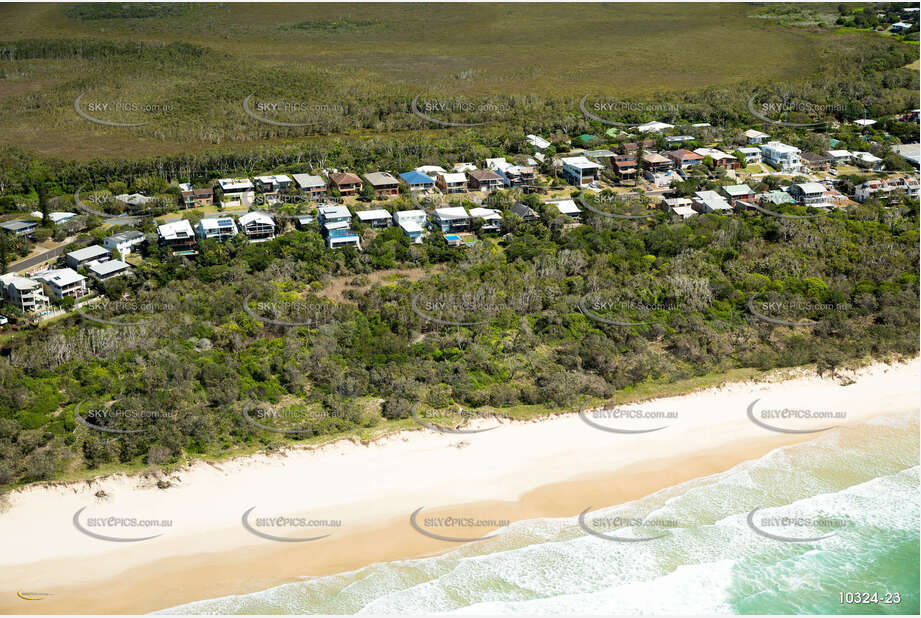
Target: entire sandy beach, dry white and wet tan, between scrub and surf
{"points": [[555, 467]]}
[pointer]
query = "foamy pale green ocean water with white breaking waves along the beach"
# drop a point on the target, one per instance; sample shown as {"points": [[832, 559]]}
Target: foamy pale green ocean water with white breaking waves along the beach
{"points": [[710, 562]]}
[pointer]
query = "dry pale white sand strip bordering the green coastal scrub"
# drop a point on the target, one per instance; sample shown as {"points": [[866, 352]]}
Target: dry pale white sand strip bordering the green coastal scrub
{"points": [[393, 477]]}
